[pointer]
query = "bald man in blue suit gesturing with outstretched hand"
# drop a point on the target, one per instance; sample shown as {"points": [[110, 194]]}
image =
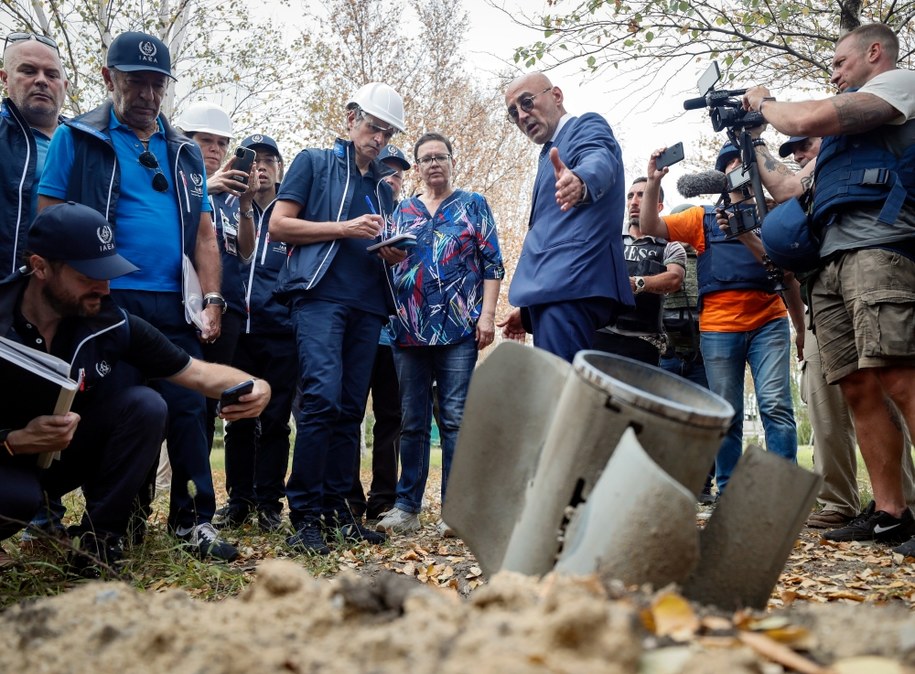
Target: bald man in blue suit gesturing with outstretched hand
{"points": [[571, 277]]}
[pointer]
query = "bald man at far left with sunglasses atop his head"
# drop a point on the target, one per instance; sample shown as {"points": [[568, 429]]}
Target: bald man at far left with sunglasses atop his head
{"points": [[36, 88]]}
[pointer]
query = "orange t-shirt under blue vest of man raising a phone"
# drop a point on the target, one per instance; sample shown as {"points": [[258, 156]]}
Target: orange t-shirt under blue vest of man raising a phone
{"points": [[727, 310]]}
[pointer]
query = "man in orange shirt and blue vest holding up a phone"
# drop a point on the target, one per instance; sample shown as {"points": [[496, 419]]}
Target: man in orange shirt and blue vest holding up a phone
{"points": [[742, 319]]}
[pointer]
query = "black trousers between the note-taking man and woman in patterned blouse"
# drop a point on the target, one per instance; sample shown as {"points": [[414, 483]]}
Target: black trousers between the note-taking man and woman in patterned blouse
{"points": [[385, 439]]}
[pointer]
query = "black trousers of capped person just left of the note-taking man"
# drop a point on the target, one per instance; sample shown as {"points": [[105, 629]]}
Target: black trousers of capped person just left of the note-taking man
{"points": [[257, 450]]}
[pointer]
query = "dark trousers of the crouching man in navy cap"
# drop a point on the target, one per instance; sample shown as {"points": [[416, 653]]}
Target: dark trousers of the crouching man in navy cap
{"points": [[115, 445]]}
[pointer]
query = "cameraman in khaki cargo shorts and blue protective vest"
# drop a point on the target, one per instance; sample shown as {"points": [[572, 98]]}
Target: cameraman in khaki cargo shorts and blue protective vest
{"points": [[863, 214]]}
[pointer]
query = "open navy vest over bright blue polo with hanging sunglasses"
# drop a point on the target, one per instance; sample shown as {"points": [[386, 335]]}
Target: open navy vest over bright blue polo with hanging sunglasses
{"points": [[95, 180]]}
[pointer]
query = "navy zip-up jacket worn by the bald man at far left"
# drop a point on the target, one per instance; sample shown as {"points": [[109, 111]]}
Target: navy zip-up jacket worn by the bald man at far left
{"points": [[17, 175]]}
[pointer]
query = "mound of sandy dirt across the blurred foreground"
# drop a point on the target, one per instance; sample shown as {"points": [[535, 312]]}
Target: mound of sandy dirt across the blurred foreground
{"points": [[287, 621]]}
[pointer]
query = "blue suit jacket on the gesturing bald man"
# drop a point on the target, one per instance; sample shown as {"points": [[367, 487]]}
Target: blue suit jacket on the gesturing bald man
{"points": [[579, 253]]}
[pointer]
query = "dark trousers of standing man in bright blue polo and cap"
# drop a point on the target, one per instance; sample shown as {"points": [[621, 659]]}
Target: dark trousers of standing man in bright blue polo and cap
{"points": [[188, 451]]}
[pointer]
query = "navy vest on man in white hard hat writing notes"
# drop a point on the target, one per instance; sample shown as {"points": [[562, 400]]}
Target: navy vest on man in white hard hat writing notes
{"points": [[329, 200]]}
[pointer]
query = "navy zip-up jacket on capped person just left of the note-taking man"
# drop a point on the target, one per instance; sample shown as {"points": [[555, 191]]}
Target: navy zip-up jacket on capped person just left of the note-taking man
{"points": [[265, 314]]}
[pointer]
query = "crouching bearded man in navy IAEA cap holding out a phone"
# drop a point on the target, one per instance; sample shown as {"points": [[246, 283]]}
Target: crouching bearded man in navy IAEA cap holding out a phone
{"points": [[110, 438]]}
